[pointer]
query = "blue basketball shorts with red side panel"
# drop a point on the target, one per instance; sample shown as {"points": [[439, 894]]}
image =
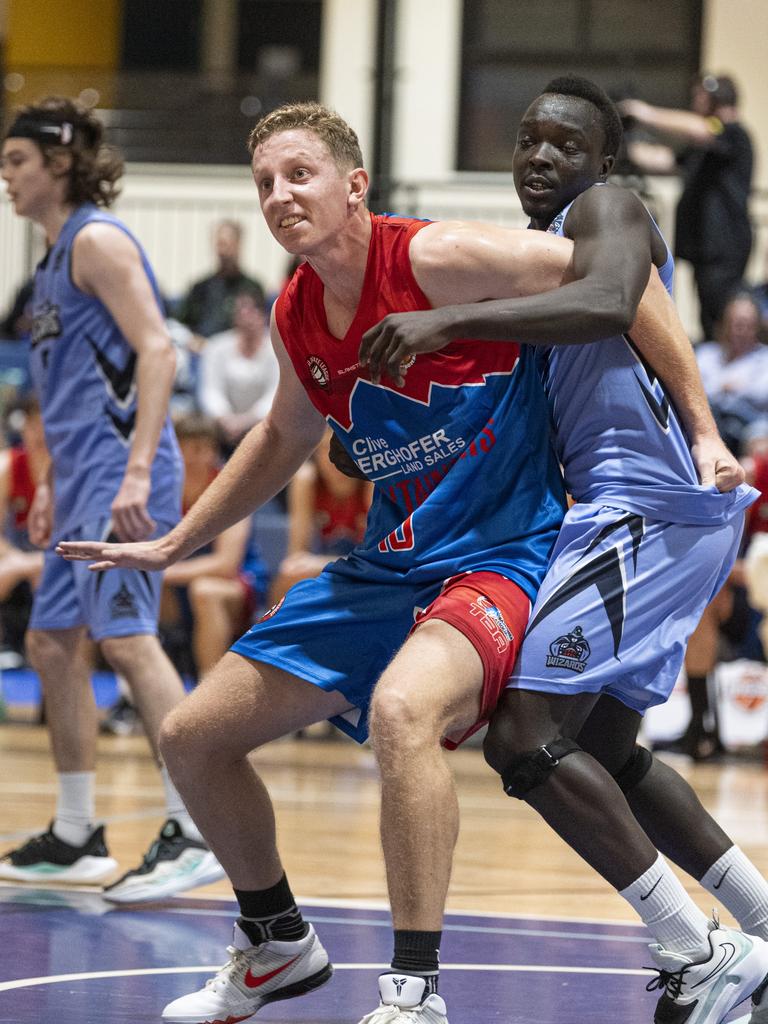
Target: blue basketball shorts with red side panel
{"points": [[342, 631]]}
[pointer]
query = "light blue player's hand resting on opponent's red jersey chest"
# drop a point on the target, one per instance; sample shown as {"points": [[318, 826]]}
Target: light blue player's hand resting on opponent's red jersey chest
{"points": [[390, 348]]}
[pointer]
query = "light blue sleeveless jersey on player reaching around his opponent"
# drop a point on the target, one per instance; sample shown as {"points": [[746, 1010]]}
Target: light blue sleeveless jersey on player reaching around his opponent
{"points": [[617, 435]]}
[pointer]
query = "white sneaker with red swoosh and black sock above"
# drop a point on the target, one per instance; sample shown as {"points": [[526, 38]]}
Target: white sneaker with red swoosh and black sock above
{"points": [[253, 977]]}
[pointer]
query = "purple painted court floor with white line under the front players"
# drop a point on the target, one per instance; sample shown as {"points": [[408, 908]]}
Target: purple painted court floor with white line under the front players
{"points": [[54, 946]]}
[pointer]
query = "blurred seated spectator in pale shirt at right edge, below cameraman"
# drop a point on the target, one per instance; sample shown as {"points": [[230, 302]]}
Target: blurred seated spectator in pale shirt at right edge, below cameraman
{"points": [[735, 370]]}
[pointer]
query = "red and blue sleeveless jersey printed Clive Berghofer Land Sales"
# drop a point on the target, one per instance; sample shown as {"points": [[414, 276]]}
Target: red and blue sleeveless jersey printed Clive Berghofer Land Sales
{"points": [[465, 477]]}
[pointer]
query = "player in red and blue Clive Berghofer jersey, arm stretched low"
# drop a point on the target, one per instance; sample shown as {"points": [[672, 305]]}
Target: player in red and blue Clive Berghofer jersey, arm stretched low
{"points": [[434, 602]]}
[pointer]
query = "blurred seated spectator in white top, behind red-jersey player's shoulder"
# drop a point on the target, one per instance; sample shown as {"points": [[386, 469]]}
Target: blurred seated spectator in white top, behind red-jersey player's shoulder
{"points": [[239, 371]]}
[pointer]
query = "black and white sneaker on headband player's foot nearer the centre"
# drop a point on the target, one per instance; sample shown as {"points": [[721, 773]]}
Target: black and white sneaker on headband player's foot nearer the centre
{"points": [[173, 865]]}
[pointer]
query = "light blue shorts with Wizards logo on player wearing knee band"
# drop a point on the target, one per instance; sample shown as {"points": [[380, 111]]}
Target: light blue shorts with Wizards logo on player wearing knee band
{"points": [[621, 599]]}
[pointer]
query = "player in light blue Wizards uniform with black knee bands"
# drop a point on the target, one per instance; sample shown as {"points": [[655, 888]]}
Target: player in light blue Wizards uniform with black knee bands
{"points": [[639, 556]]}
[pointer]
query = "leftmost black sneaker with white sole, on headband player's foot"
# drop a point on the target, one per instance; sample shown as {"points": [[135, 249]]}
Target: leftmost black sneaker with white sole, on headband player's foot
{"points": [[49, 859]]}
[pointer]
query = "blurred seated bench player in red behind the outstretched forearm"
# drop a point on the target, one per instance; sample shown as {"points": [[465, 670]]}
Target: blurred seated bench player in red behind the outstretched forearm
{"points": [[211, 596]]}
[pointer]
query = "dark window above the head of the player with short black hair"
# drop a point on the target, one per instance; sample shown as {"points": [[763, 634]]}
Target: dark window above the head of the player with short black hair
{"points": [[649, 49]]}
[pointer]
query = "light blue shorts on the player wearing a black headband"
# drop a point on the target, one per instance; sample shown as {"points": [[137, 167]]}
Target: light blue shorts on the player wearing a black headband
{"points": [[114, 604]]}
